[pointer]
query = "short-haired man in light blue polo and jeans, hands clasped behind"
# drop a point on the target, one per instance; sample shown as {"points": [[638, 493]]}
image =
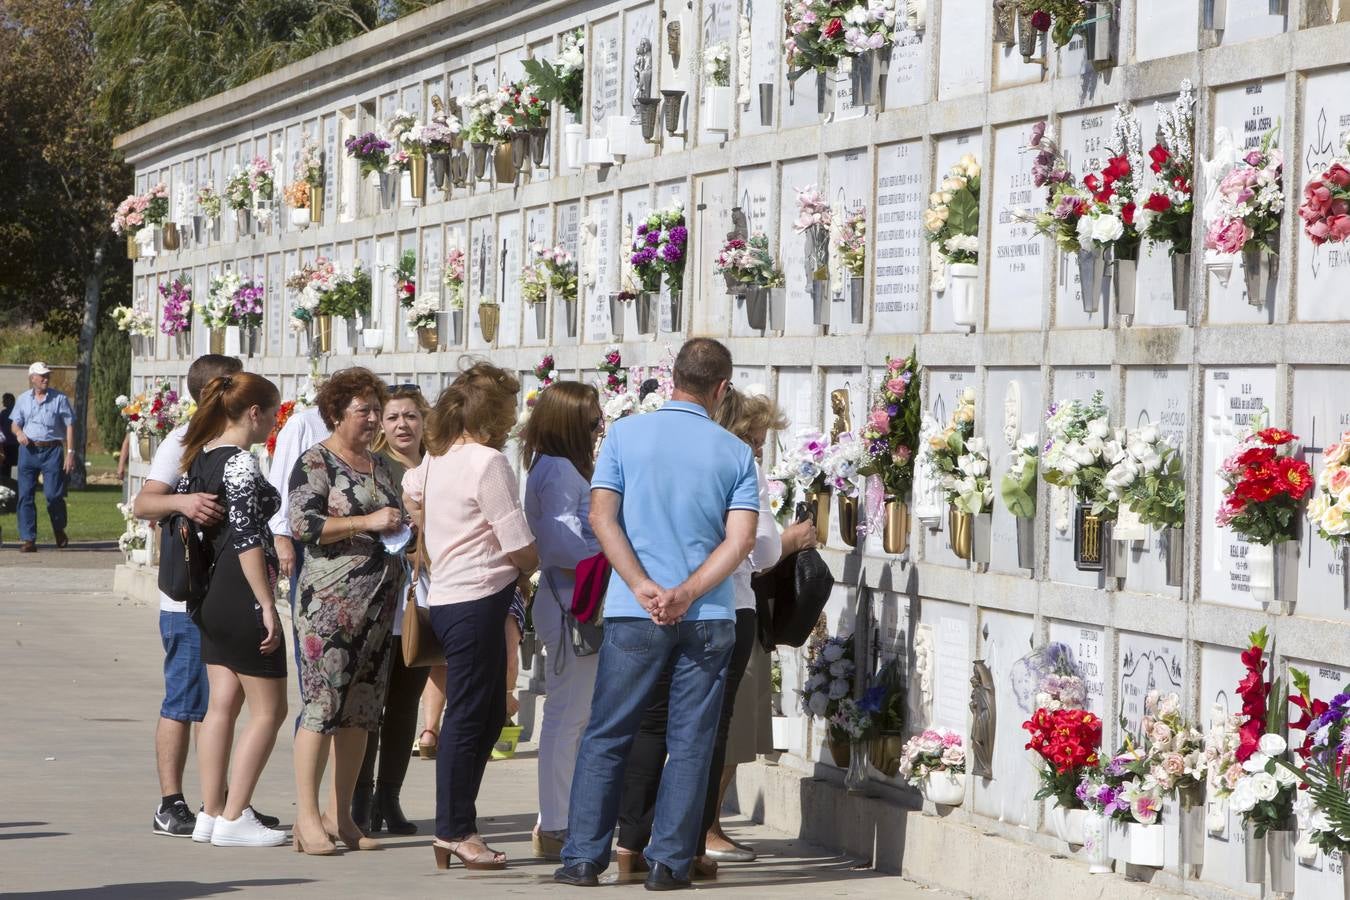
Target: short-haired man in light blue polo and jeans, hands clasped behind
{"points": [[674, 504]]}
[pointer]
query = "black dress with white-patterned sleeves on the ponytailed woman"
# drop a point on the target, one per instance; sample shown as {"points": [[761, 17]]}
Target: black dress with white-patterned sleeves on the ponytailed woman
{"points": [[230, 619]]}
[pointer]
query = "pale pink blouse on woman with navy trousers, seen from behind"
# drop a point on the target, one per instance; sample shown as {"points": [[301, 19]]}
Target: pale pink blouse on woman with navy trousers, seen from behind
{"points": [[475, 520]]}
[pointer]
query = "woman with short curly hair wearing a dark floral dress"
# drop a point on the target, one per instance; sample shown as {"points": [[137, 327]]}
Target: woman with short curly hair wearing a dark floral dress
{"points": [[348, 511]]}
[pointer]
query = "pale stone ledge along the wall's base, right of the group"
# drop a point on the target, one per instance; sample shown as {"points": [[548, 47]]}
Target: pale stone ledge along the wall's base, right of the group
{"points": [[897, 837]]}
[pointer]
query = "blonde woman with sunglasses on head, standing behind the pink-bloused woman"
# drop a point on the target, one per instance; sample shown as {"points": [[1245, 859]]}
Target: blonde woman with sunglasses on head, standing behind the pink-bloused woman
{"points": [[375, 806]]}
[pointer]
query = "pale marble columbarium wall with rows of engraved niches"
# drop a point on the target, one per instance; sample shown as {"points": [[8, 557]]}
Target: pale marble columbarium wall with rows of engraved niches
{"points": [[950, 91]]}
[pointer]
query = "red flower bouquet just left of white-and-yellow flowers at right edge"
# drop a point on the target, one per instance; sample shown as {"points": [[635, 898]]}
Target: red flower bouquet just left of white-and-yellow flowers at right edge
{"points": [[1264, 485]]}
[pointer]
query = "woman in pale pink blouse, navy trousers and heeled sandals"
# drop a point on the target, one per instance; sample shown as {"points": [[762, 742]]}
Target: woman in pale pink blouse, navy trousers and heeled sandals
{"points": [[479, 546]]}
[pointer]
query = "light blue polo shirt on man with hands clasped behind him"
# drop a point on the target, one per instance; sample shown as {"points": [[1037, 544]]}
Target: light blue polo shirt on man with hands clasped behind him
{"points": [[680, 476]]}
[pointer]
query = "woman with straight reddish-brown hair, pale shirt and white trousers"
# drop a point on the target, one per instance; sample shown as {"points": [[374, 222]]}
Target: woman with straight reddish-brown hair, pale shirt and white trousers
{"points": [[557, 449]]}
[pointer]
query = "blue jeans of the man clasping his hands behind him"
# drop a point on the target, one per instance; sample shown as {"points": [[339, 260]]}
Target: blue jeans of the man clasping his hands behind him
{"points": [[631, 660]]}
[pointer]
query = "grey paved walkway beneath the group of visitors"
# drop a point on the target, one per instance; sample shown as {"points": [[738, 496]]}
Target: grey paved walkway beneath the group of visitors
{"points": [[82, 679]]}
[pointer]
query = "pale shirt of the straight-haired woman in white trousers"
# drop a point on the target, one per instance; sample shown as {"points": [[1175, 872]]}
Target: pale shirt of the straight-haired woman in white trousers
{"points": [[558, 511]]}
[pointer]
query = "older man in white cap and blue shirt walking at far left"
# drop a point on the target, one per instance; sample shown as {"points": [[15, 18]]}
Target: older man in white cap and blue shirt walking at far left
{"points": [[44, 423]]}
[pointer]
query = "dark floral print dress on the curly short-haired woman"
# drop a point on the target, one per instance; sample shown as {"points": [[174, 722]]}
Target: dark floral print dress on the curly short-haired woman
{"points": [[348, 593]]}
